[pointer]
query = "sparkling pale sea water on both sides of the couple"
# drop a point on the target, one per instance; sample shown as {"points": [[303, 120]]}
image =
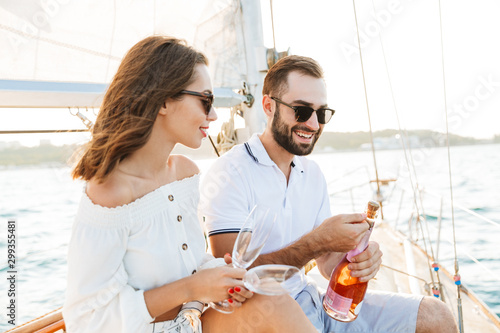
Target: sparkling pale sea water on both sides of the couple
{"points": [[43, 200]]}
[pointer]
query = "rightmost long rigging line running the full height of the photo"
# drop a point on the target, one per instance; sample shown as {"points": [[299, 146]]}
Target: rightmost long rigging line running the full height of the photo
{"points": [[459, 300]]}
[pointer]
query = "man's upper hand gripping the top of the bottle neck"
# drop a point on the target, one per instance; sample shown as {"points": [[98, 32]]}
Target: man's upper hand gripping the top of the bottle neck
{"points": [[340, 233]]}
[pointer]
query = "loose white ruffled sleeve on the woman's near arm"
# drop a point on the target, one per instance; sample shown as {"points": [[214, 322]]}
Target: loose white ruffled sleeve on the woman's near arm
{"points": [[98, 296]]}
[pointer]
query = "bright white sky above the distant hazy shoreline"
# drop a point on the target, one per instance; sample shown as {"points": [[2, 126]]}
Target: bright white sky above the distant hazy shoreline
{"points": [[410, 31]]}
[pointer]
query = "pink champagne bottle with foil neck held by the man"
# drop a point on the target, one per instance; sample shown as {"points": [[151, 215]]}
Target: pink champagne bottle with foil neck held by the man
{"points": [[344, 296]]}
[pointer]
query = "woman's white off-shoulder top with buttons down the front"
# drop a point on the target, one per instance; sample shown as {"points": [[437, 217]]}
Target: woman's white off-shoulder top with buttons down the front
{"points": [[115, 254]]}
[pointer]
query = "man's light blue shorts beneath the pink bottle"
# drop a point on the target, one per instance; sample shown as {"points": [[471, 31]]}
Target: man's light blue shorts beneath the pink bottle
{"points": [[382, 312]]}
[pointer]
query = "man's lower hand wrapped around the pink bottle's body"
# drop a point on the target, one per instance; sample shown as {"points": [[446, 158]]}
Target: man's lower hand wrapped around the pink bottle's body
{"points": [[366, 264]]}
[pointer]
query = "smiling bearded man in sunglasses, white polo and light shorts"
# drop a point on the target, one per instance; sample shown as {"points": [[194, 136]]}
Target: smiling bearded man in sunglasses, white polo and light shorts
{"points": [[270, 170]]}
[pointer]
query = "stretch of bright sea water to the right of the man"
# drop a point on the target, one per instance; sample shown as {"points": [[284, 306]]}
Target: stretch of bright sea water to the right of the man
{"points": [[475, 180]]}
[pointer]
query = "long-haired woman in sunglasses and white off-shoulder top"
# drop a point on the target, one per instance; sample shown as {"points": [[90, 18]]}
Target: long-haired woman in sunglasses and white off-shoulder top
{"points": [[137, 254]]}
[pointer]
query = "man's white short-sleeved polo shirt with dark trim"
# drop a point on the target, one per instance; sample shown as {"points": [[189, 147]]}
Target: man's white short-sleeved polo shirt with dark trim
{"points": [[246, 176]]}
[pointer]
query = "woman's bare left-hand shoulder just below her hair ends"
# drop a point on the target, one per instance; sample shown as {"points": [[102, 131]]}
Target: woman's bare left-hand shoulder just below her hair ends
{"points": [[115, 191]]}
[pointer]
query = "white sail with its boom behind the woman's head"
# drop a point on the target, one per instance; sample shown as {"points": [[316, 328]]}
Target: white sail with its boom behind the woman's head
{"points": [[64, 53]]}
